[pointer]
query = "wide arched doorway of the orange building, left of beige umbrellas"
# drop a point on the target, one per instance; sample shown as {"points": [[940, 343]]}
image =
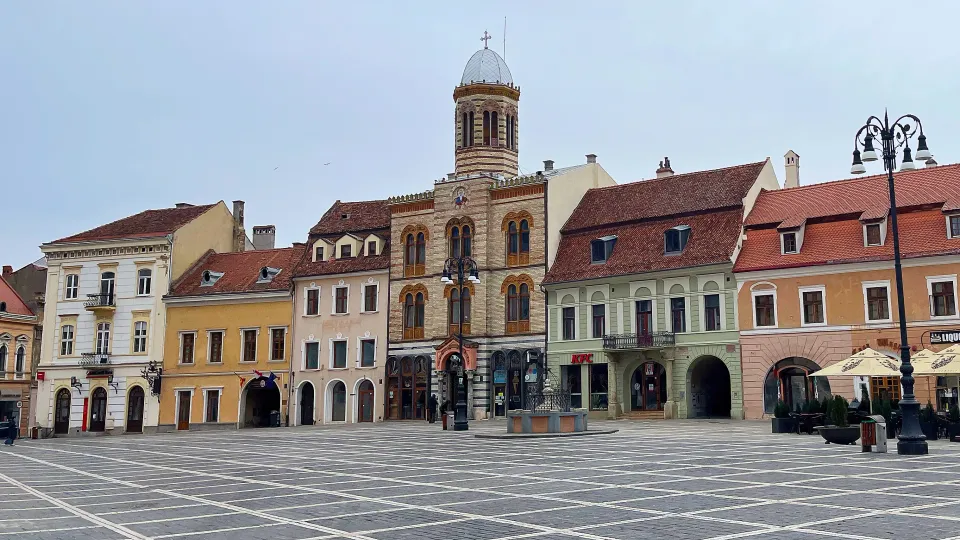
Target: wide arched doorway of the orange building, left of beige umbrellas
{"points": [[789, 380]]}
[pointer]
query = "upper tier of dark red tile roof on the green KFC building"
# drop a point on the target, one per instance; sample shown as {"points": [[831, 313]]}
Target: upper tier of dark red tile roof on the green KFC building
{"points": [[672, 195]]}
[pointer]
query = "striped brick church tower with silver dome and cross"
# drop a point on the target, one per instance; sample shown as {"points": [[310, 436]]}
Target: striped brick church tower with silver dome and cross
{"points": [[486, 116]]}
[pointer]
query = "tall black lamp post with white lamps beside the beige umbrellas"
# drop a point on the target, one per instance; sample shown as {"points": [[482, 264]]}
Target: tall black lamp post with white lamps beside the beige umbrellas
{"points": [[894, 135]]}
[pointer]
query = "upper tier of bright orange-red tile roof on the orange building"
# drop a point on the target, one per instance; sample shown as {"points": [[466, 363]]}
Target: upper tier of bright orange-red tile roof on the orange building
{"points": [[937, 185]]}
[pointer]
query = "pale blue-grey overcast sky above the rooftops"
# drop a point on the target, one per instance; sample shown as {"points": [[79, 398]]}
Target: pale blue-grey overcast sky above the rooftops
{"points": [[110, 108]]}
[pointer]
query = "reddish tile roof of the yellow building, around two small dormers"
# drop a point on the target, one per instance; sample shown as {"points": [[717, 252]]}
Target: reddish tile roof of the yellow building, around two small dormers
{"points": [[241, 270]]}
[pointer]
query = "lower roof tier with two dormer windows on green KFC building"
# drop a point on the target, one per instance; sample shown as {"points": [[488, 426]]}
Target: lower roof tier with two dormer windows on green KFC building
{"points": [[639, 247]]}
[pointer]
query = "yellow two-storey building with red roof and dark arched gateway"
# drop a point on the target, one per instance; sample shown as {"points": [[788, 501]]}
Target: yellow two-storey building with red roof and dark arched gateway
{"points": [[227, 343]]}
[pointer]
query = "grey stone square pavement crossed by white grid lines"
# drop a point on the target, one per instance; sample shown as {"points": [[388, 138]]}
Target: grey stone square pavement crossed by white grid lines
{"points": [[675, 480]]}
